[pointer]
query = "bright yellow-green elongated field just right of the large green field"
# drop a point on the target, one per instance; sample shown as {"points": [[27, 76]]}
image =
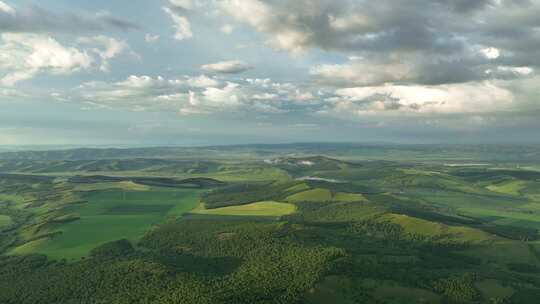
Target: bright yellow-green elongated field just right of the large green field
{"points": [[275, 209]]}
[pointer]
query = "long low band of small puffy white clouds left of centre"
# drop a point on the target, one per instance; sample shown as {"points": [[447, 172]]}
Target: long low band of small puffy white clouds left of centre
{"points": [[195, 95]]}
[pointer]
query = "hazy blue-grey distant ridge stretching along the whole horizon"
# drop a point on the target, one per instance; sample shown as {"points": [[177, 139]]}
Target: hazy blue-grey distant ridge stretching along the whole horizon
{"points": [[515, 153]]}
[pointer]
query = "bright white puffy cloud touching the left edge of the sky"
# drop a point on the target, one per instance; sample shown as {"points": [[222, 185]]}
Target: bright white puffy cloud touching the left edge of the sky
{"points": [[24, 56]]}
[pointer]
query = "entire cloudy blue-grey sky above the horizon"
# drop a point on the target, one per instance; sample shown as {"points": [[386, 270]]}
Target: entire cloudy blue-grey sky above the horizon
{"points": [[208, 72]]}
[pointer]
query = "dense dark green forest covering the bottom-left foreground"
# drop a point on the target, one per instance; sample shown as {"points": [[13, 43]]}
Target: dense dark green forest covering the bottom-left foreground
{"points": [[183, 262]]}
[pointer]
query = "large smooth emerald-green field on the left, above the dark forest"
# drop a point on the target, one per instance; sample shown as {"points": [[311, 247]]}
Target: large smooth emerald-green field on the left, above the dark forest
{"points": [[111, 215]]}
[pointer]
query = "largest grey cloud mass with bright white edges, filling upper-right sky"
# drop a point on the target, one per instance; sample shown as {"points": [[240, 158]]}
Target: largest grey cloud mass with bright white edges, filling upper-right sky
{"points": [[417, 41]]}
